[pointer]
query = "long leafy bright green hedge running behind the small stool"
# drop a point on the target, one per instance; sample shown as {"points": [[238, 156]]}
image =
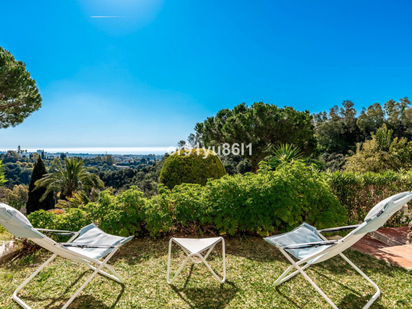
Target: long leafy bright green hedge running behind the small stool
{"points": [[254, 203]]}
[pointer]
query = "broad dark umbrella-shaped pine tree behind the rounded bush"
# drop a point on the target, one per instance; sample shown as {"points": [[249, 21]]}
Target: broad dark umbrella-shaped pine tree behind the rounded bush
{"points": [[261, 125]]}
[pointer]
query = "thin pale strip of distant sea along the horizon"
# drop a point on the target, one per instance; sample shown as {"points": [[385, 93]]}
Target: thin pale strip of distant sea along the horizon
{"points": [[103, 150]]}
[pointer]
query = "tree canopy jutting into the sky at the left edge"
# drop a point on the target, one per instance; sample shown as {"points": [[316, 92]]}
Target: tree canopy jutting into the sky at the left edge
{"points": [[19, 95]]}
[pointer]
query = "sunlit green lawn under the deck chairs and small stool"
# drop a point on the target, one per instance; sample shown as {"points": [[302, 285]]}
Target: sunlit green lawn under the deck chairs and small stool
{"points": [[252, 267]]}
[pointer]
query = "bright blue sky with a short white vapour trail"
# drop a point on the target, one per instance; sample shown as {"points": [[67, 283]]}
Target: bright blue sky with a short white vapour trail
{"points": [[145, 76]]}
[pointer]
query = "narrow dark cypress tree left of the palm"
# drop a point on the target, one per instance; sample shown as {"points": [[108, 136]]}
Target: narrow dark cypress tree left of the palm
{"points": [[34, 203]]}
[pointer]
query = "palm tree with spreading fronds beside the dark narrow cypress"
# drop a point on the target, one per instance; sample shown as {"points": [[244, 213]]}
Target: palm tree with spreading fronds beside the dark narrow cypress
{"points": [[69, 179]]}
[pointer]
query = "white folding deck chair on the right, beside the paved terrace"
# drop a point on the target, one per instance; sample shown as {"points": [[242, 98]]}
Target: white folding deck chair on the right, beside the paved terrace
{"points": [[309, 246]]}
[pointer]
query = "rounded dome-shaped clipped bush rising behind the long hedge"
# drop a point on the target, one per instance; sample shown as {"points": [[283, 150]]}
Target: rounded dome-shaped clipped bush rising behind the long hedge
{"points": [[195, 166]]}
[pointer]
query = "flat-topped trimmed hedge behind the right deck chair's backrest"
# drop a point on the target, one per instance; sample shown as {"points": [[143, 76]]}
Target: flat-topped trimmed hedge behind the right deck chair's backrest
{"points": [[358, 193]]}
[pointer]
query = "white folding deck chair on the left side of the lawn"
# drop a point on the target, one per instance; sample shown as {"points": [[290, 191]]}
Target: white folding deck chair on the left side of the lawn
{"points": [[86, 246]]}
